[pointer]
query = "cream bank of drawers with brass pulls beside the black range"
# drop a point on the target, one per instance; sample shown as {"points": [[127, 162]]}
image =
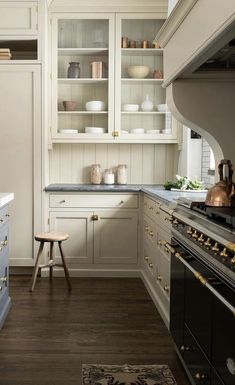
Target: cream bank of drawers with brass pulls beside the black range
{"points": [[156, 258]]}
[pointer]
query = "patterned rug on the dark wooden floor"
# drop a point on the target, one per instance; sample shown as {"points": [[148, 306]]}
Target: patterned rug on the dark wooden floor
{"points": [[127, 375]]}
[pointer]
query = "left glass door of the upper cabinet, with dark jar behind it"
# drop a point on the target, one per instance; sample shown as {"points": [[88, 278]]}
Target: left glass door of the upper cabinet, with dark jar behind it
{"points": [[82, 77]]}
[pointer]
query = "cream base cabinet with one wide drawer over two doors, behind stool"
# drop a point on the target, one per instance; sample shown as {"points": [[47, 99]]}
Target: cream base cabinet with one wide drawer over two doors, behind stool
{"points": [[103, 228]]}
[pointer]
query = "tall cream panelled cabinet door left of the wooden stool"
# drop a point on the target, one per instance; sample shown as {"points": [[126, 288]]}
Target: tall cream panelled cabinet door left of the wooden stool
{"points": [[20, 155]]}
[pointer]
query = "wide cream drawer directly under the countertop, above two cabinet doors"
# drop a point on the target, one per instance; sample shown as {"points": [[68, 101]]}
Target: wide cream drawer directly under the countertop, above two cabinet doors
{"points": [[94, 200]]}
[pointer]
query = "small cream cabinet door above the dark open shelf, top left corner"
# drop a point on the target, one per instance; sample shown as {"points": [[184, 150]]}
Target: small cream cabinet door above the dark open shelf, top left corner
{"points": [[18, 17]]}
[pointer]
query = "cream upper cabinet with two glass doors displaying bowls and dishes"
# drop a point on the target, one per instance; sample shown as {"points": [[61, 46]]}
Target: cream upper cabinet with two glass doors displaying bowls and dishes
{"points": [[106, 79]]}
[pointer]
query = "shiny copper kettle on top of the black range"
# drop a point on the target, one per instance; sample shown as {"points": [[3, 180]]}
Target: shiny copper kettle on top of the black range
{"points": [[222, 194]]}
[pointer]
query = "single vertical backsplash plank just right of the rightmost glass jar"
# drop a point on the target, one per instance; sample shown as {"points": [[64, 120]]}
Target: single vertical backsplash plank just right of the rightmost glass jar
{"points": [[136, 175]]}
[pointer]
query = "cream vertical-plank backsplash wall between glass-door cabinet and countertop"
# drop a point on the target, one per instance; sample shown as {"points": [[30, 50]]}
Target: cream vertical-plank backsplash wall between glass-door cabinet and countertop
{"points": [[147, 163]]}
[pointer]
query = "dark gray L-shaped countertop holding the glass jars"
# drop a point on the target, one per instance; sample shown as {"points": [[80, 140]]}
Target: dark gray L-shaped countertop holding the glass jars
{"points": [[156, 191]]}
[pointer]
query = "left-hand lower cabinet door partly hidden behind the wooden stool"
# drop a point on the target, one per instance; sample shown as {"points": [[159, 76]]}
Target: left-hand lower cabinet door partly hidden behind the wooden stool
{"points": [[79, 225]]}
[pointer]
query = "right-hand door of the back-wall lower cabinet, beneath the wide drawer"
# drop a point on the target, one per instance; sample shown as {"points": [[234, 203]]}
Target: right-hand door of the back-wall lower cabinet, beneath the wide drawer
{"points": [[116, 237]]}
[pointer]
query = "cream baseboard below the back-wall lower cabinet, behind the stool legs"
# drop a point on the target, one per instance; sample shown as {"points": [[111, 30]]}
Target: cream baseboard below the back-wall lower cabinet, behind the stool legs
{"points": [[129, 273]]}
